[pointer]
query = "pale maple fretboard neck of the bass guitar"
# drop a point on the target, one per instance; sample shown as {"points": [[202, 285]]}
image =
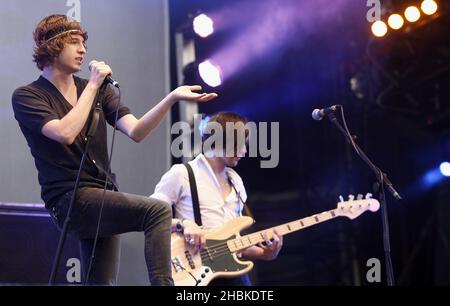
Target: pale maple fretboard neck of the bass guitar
{"points": [[243, 242]]}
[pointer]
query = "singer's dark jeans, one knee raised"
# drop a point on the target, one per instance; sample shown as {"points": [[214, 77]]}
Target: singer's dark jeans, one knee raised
{"points": [[122, 213]]}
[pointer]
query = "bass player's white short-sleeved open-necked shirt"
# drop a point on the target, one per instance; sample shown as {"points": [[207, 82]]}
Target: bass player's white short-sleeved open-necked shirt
{"points": [[174, 188]]}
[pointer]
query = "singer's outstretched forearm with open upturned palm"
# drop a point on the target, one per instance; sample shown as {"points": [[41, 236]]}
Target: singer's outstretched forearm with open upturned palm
{"points": [[139, 129]]}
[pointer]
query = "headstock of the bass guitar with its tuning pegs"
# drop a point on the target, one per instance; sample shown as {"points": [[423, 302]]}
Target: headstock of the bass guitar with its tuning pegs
{"points": [[354, 208]]}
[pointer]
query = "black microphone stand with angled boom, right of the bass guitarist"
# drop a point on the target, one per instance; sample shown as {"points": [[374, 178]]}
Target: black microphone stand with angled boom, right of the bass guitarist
{"points": [[383, 181]]}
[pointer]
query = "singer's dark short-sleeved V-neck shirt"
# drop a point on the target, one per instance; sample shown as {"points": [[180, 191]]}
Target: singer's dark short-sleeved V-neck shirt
{"points": [[57, 164]]}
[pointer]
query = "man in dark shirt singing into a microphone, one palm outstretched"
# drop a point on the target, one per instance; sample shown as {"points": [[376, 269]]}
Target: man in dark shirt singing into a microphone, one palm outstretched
{"points": [[54, 114]]}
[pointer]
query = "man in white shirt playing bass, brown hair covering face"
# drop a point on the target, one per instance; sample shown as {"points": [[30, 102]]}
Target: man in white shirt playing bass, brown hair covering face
{"points": [[219, 192]]}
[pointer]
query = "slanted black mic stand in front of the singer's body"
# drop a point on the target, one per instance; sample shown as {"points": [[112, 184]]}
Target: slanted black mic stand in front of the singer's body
{"points": [[90, 133]]}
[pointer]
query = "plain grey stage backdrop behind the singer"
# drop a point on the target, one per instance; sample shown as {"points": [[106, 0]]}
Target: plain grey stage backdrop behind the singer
{"points": [[132, 36]]}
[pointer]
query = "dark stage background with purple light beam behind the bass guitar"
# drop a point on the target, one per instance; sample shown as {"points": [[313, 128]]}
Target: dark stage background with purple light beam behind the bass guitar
{"points": [[399, 110]]}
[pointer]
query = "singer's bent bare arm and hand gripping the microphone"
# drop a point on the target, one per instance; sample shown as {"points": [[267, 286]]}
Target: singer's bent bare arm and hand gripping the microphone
{"points": [[65, 130]]}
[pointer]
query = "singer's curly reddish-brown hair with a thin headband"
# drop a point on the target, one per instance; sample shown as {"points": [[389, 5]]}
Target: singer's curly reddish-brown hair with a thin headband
{"points": [[50, 36]]}
